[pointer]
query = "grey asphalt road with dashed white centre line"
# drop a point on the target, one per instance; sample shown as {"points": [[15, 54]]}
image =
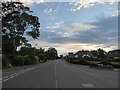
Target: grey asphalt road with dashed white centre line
{"points": [[61, 74]]}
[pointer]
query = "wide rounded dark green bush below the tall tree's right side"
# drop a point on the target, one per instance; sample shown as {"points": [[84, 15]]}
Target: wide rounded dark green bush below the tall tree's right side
{"points": [[18, 60]]}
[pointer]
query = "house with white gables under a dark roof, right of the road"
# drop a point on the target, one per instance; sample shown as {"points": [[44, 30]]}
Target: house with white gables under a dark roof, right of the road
{"points": [[84, 53]]}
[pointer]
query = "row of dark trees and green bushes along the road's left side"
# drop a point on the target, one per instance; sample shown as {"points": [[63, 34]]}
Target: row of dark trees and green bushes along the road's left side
{"points": [[28, 56]]}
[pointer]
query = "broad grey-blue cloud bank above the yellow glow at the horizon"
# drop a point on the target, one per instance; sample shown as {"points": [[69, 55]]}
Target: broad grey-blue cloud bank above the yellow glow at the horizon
{"points": [[102, 31]]}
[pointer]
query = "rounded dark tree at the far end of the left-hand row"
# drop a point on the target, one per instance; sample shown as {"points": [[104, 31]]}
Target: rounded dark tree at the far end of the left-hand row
{"points": [[51, 53]]}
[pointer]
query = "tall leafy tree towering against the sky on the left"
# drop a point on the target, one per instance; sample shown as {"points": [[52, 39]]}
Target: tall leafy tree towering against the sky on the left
{"points": [[17, 22]]}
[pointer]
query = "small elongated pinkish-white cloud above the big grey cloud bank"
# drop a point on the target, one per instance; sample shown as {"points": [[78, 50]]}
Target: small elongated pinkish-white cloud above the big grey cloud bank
{"points": [[70, 27]]}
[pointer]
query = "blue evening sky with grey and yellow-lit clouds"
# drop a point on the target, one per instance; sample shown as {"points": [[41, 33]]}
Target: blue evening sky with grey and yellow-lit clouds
{"points": [[74, 26]]}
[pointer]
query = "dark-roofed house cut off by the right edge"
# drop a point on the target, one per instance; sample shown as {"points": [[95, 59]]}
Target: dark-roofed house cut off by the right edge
{"points": [[114, 54]]}
